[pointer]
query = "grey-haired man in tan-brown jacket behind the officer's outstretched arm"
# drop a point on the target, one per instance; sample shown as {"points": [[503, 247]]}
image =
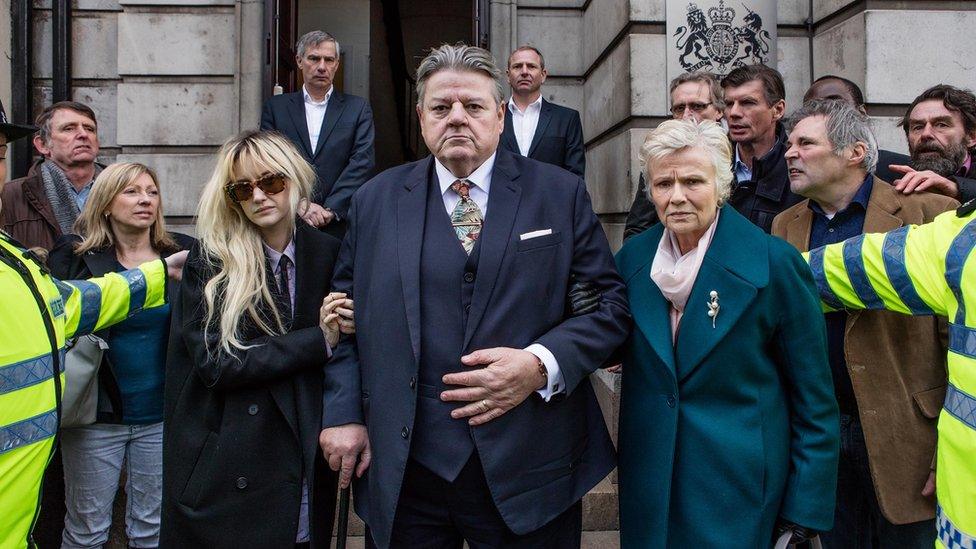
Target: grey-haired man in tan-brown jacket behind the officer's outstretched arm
{"points": [[888, 369]]}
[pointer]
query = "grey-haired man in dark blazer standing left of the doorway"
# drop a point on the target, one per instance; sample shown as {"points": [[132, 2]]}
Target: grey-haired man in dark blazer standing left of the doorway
{"points": [[333, 131]]}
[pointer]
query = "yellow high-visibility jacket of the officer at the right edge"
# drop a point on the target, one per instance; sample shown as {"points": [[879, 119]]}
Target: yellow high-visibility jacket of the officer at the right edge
{"points": [[924, 270]]}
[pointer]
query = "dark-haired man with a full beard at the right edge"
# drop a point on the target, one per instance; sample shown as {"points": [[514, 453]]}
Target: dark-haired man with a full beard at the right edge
{"points": [[941, 129]]}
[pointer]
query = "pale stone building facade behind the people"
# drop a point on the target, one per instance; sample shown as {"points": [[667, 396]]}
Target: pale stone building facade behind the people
{"points": [[172, 79]]}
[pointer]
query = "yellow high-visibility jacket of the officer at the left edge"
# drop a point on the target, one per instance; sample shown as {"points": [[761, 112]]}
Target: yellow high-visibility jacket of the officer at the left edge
{"points": [[37, 313]]}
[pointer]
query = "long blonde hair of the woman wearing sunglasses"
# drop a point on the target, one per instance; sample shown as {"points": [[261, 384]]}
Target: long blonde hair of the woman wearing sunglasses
{"points": [[232, 245]]}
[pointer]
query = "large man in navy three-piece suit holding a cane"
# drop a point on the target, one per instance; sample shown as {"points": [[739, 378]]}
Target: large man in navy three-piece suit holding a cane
{"points": [[467, 372]]}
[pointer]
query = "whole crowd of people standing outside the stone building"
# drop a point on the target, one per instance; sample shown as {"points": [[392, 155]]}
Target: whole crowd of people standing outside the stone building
{"points": [[426, 334]]}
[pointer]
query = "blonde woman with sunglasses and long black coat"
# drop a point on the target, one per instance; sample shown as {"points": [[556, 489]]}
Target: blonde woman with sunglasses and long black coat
{"points": [[252, 331]]}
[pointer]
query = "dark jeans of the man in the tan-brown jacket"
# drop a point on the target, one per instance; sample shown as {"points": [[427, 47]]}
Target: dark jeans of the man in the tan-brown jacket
{"points": [[858, 522]]}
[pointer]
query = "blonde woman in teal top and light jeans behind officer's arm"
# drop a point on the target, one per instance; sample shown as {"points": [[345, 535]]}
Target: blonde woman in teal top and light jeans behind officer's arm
{"points": [[120, 227]]}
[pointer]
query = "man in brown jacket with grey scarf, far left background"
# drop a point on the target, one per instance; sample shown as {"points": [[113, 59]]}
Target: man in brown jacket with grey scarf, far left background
{"points": [[43, 205]]}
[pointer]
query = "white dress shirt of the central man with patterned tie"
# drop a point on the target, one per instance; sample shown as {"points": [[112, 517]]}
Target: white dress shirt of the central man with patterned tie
{"points": [[480, 180]]}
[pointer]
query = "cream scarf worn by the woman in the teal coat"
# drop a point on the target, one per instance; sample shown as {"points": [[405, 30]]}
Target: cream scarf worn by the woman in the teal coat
{"points": [[675, 274]]}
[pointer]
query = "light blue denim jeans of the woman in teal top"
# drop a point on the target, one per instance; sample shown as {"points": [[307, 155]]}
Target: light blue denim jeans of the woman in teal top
{"points": [[93, 458]]}
